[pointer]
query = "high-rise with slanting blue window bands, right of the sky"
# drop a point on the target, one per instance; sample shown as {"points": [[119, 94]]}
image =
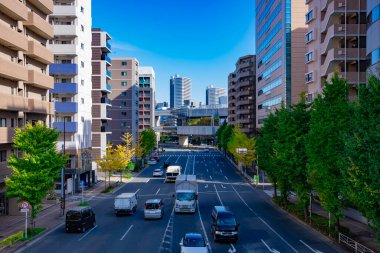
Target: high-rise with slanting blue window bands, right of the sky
{"points": [[280, 54]]}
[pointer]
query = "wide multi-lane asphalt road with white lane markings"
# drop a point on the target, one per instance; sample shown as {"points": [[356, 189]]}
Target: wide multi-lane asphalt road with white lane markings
{"points": [[263, 227]]}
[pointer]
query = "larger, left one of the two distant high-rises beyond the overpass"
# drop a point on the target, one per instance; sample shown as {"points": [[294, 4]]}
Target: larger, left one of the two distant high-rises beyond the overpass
{"points": [[180, 90]]}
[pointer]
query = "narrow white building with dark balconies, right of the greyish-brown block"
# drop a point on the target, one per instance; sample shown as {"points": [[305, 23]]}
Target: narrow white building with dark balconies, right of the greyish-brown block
{"points": [[147, 91]]}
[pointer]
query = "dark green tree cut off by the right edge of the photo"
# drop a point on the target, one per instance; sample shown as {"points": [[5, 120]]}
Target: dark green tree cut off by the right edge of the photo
{"points": [[363, 150]]}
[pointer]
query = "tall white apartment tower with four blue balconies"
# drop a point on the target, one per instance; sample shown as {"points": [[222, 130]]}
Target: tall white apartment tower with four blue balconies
{"points": [[72, 72]]}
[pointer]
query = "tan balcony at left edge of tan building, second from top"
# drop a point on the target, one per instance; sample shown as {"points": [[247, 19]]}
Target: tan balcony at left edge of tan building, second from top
{"points": [[12, 39]]}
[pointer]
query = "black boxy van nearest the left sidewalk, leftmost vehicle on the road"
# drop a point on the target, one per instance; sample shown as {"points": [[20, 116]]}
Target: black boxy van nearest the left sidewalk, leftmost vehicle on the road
{"points": [[80, 218]]}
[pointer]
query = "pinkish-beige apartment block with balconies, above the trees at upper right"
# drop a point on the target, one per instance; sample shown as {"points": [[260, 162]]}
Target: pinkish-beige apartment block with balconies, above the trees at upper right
{"points": [[336, 43]]}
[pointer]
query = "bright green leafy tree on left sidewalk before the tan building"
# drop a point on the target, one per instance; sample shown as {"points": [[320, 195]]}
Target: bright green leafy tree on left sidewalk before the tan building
{"points": [[36, 166]]}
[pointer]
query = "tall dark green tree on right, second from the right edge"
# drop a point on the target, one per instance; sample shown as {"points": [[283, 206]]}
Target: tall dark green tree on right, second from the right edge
{"points": [[325, 145]]}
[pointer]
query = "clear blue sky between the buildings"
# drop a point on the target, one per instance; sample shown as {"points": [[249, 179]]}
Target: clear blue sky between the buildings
{"points": [[199, 39]]}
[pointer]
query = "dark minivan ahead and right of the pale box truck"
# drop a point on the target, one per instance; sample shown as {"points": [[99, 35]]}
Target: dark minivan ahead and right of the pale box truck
{"points": [[223, 224]]}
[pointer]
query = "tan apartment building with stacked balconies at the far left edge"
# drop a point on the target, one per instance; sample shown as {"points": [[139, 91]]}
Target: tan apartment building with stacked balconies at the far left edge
{"points": [[24, 79]]}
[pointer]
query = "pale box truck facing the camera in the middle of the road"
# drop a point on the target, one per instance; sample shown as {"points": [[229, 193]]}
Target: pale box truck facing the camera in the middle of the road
{"points": [[186, 194]]}
